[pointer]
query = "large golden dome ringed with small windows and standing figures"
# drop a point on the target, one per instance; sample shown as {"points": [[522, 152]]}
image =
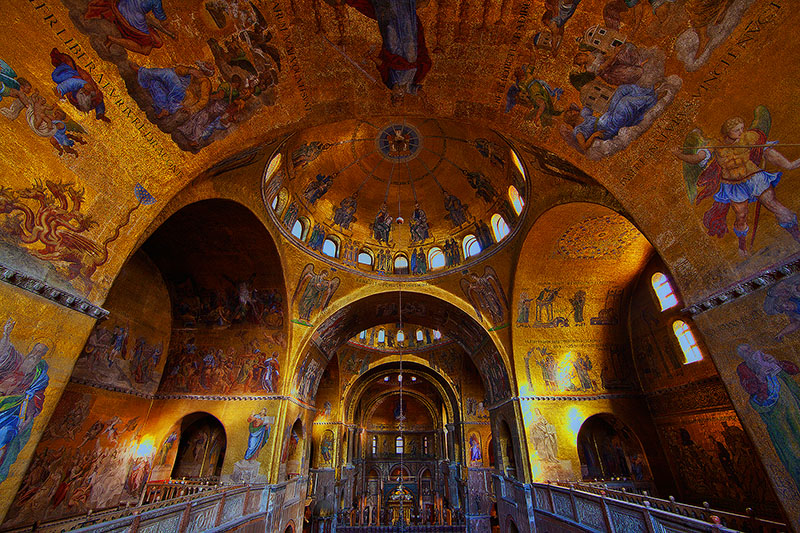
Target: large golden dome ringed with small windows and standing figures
{"points": [[382, 195]]}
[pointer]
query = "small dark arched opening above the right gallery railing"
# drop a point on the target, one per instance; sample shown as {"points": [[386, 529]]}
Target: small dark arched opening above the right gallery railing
{"points": [[610, 450]]}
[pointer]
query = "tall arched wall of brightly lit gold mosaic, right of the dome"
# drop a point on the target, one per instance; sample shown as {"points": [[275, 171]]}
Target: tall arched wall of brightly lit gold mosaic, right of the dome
{"points": [[574, 280]]}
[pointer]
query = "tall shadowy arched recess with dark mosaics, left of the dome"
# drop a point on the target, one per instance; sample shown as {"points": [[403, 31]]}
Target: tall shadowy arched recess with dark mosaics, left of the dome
{"points": [[228, 301]]}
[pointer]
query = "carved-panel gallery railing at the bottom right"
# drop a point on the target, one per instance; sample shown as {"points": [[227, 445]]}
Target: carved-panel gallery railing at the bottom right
{"points": [[608, 510]]}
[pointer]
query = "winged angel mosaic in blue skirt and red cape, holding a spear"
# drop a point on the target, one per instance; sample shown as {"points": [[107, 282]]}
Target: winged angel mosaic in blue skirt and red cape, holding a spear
{"points": [[731, 170]]}
